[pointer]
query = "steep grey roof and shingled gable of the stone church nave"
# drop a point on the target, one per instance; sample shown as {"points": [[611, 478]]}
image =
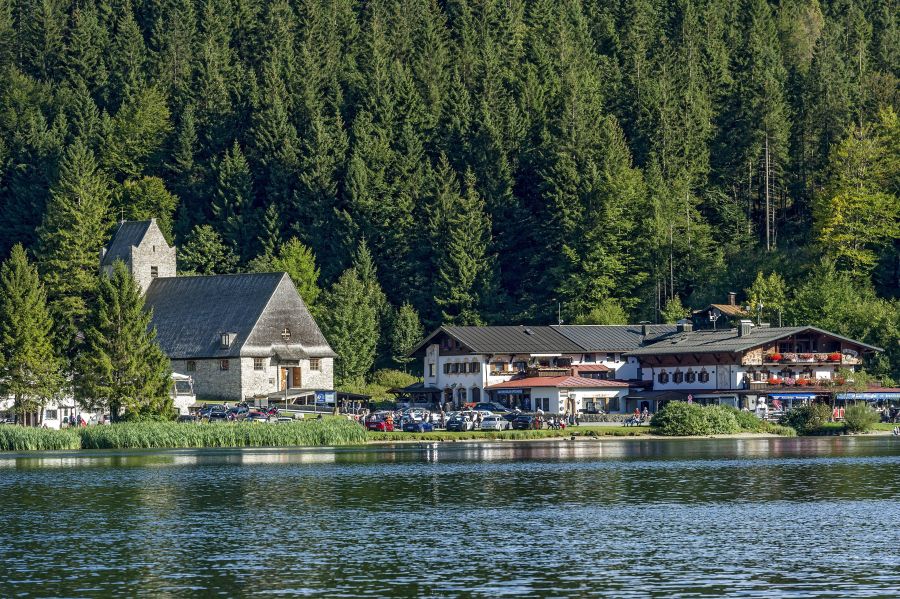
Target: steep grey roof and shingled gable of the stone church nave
{"points": [[191, 313]]}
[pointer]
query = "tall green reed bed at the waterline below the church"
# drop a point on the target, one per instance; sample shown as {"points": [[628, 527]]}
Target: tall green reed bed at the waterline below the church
{"points": [[162, 435]]}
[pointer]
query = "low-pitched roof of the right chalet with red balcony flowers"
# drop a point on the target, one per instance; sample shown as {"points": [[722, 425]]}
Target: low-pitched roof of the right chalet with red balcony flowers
{"points": [[729, 341]]}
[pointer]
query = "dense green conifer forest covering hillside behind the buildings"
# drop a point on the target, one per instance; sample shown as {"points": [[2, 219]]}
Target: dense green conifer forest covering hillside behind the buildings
{"points": [[495, 161]]}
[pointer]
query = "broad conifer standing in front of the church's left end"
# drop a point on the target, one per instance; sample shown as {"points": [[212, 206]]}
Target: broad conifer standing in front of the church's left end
{"points": [[121, 367]]}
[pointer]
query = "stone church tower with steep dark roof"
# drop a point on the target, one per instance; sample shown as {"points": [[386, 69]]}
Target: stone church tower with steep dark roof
{"points": [[144, 250]]}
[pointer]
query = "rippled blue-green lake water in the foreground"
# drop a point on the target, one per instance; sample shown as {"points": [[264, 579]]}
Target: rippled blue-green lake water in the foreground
{"points": [[737, 517]]}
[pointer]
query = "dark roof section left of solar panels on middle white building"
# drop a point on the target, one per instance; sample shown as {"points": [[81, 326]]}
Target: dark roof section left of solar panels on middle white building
{"points": [[506, 339]]}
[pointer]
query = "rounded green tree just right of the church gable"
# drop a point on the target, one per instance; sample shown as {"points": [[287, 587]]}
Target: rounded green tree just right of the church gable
{"points": [[350, 323]]}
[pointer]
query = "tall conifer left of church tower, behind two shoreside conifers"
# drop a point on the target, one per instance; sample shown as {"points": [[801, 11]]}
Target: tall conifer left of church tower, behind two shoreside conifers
{"points": [[74, 230]]}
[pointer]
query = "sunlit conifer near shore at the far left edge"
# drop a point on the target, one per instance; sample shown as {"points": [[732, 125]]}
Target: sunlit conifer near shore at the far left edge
{"points": [[30, 370]]}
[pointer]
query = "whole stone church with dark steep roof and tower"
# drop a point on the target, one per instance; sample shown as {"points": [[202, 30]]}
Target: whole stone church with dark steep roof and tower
{"points": [[239, 336]]}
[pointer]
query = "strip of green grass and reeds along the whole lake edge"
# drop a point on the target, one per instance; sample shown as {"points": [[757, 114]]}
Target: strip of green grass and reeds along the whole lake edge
{"points": [[328, 432]]}
